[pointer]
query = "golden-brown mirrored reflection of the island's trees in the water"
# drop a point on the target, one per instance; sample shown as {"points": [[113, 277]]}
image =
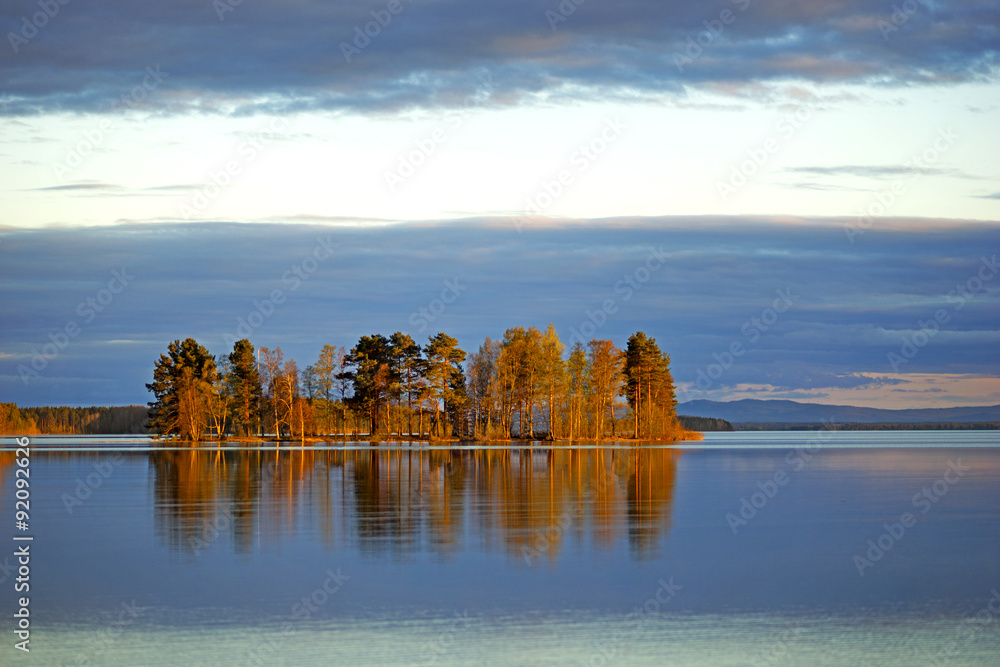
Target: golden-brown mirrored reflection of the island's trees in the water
{"points": [[529, 504]]}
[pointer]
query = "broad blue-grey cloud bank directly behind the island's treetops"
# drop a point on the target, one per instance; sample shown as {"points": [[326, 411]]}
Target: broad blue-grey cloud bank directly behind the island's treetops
{"points": [[854, 304]]}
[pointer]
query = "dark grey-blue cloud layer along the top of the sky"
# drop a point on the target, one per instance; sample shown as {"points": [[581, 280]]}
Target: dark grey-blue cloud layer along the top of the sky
{"points": [[279, 57]]}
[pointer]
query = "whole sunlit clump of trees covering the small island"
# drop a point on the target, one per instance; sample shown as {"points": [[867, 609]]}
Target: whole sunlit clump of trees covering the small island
{"points": [[525, 385]]}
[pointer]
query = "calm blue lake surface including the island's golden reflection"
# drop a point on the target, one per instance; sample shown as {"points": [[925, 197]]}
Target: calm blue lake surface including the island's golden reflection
{"points": [[750, 548]]}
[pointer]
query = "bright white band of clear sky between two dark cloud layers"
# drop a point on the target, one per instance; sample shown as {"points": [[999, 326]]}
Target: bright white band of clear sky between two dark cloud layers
{"points": [[830, 155]]}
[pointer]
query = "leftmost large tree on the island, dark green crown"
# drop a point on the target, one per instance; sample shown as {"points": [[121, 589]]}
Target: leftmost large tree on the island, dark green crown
{"points": [[182, 385]]}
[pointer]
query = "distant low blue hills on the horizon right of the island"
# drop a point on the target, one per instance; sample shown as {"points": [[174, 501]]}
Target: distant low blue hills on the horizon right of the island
{"points": [[757, 411]]}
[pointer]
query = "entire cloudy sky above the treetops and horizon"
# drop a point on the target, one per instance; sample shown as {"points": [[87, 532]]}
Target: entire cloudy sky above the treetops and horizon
{"points": [[797, 199]]}
